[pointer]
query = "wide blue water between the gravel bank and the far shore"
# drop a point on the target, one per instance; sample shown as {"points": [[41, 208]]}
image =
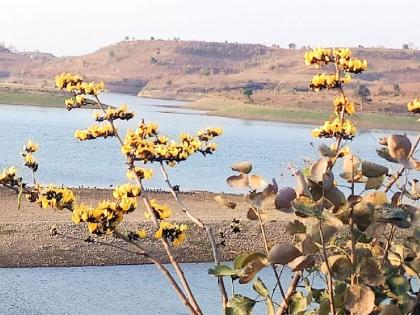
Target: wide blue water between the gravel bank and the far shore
{"points": [[65, 160]]}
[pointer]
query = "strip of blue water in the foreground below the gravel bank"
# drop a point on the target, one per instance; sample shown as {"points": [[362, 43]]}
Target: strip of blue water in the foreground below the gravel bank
{"points": [[113, 290]]}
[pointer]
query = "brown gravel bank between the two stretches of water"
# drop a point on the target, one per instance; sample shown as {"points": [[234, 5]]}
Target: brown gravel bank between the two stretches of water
{"points": [[25, 239]]}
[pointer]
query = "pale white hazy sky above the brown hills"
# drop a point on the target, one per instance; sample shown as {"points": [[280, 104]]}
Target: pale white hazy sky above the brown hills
{"points": [[81, 26]]}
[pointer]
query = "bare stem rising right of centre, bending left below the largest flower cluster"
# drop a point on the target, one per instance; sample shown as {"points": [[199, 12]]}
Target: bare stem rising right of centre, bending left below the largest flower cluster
{"points": [[203, 226]]}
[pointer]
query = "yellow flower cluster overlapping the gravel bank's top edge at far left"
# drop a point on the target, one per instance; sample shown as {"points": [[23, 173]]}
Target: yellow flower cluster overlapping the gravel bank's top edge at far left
{"points": [[51, 196]]}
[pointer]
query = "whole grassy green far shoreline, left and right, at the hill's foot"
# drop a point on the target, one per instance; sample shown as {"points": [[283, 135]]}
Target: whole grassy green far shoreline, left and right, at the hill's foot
{"points": [[233, 109]]}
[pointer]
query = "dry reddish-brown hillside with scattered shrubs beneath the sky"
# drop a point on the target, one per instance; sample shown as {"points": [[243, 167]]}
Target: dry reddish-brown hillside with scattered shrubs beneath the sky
{"points": [[190, 69]]}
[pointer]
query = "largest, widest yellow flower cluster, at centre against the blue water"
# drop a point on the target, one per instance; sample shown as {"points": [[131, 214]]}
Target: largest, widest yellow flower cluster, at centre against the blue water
{"points": [[146, 145]]}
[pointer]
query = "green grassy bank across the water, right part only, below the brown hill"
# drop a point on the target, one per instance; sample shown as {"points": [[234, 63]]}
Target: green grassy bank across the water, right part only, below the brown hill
{"points": [[237, 109]]}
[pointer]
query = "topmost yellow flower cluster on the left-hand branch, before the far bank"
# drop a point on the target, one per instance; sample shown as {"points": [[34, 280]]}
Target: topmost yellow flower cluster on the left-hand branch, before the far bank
{"points": [[75, 83]]}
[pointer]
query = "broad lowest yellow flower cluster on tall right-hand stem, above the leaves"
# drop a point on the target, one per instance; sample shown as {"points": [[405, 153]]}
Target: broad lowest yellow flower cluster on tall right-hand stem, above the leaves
{"points": [[335, 128]]}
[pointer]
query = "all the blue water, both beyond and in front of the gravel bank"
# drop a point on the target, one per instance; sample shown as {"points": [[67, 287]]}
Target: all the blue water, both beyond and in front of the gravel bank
{"points": [[65, 160]]}
